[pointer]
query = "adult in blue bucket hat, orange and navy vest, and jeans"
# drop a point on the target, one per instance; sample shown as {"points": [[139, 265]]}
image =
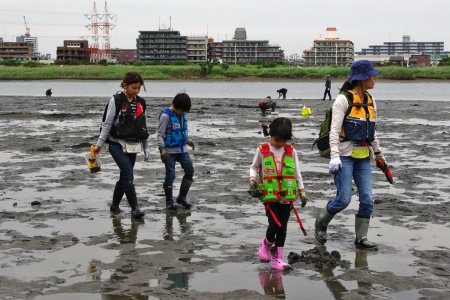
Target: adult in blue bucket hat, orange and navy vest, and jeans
{"points": [[353, 140]]}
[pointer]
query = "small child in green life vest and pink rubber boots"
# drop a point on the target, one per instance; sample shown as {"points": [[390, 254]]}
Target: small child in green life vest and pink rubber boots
{"points": [[276, 166]]}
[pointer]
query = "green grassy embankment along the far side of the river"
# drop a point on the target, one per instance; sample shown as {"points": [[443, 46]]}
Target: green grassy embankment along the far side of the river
{"points": [[96, 72]]}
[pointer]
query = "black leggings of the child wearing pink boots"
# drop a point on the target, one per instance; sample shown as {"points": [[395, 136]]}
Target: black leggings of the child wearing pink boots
{"points": [[274, 232]]}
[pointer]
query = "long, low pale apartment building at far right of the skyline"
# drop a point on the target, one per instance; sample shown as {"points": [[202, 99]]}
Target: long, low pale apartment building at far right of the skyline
{"points": [[404, 47]]}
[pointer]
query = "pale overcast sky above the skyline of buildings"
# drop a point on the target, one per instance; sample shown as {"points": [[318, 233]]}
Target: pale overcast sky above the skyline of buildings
{"points": [[291, 24]]}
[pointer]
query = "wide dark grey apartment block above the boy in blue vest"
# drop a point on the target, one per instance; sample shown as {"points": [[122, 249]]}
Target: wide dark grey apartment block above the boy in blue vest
{"points": [[161, 46]]}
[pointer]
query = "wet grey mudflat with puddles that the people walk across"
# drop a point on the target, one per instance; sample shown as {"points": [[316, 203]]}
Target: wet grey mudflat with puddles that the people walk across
{"points": [[68, 245]]}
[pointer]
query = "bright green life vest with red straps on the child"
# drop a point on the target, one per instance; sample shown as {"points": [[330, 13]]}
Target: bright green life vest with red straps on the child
{"points": [[278, 187]]}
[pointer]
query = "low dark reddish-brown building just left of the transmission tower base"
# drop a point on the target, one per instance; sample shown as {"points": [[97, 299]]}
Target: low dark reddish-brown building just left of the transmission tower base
{"points": [[73, 50]]}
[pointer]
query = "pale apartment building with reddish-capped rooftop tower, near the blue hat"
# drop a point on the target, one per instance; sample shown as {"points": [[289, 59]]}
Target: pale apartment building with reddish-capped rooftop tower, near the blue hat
{"points": [[330, 51]]}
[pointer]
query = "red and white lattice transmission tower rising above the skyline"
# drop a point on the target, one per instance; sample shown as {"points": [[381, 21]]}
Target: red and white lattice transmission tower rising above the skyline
{"points": [[100, 22]]}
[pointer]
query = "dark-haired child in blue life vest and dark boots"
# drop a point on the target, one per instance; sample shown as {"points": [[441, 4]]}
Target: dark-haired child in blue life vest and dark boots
{"points": [[172, 139]]}
